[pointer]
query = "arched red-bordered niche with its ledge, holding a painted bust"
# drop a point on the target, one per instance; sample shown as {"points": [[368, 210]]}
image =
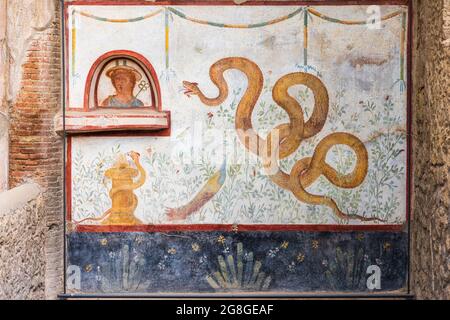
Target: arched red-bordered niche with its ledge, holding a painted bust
{"points": [[122, 93]]}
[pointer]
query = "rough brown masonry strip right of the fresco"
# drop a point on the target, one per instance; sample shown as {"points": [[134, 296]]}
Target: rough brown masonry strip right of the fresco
{"points": [[431, 102]]}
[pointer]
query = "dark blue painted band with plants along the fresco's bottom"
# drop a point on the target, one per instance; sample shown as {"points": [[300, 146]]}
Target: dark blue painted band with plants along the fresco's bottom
{"points": [[236, 262]]}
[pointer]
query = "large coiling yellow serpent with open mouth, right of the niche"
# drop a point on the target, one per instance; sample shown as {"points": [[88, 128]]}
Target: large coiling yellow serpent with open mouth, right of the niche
{"points": [[307, 170]]}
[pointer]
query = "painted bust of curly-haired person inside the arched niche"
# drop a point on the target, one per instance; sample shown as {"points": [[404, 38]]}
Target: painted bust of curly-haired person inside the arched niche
{"points": [[124, 79]]}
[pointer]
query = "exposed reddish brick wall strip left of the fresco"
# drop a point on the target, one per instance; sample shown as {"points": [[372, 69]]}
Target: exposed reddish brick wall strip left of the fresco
{"points": [[35, 149]]}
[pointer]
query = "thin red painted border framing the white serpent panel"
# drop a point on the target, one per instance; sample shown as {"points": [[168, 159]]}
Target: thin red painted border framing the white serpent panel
{"points": [[244, 228]]}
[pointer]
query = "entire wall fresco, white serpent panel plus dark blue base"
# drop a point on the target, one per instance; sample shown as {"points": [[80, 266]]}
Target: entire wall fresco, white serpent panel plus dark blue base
{"points": [[285, 165]]}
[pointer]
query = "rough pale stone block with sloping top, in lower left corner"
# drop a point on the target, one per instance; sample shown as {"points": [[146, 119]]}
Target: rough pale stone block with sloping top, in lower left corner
{"points": [[22, 261]]}
